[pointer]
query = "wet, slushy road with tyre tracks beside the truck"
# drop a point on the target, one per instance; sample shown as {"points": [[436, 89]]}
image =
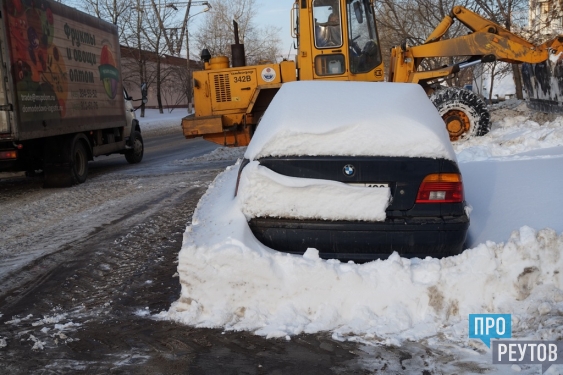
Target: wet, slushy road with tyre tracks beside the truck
{"points": [[85, 270]]}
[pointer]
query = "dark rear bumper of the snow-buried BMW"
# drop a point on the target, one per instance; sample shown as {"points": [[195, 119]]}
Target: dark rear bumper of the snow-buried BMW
{"points": [[414, 237]]}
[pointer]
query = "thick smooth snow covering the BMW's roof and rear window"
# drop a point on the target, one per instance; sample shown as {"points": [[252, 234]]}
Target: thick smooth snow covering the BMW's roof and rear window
{"points": [[310, 118]]}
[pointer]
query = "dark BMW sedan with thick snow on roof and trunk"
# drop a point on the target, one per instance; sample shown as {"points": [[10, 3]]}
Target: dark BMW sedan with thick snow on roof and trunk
{"points": [[356, 170]]}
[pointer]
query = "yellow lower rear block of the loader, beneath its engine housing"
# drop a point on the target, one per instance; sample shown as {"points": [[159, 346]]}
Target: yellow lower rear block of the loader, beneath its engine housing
{"points": [[211, 128]]}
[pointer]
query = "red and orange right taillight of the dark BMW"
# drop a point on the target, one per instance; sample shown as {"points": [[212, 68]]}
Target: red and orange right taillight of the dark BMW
{"points": [[441, 188]]}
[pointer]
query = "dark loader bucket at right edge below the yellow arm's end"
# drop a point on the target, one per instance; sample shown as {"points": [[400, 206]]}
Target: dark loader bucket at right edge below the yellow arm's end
{"points": [[543, 84]]}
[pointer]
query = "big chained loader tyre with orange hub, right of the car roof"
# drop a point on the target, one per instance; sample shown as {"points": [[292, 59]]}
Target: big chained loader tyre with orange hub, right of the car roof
{"points": [[464, 113]]}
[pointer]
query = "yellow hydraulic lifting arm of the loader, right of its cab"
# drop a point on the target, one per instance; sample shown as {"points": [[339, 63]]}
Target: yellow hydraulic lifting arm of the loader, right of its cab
{"points": [[487, 41]]}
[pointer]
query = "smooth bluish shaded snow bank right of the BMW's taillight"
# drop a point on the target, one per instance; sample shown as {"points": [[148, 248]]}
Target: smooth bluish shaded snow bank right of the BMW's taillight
{"points": [[510, 176]]}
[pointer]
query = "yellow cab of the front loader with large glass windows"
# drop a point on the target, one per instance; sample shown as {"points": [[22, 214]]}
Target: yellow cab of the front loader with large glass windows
{"points": [[337, 39]]}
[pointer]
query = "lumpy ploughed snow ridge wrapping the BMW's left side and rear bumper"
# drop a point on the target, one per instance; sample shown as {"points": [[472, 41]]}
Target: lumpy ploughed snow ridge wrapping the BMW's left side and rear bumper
{"points": [[230, 280]]}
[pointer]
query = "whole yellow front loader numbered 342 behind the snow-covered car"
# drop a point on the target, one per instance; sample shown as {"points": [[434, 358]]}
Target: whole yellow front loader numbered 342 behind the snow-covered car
{"points": [[338, 40]]}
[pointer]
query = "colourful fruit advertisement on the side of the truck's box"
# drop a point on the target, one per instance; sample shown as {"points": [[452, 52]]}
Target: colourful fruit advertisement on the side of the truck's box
{"points": [[65, 68]]}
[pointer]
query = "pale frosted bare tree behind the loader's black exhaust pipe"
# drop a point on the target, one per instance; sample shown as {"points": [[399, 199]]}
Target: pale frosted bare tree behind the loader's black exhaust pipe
{"points": [[216, 32]]}
